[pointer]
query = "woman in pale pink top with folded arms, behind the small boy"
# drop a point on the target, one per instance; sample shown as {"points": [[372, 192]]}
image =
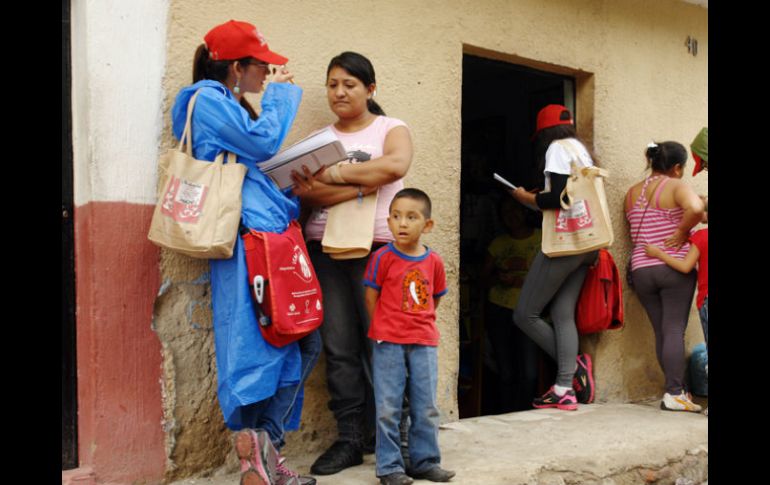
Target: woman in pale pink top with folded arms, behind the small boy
{"points": [[381, 149]]}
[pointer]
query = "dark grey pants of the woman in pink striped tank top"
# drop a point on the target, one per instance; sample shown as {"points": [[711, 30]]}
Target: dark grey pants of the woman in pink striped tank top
{"points": [[666, 295]]}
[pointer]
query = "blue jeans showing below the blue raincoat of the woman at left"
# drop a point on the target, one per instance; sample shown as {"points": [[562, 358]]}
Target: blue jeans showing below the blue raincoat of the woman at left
{"points": [[273, 414]]}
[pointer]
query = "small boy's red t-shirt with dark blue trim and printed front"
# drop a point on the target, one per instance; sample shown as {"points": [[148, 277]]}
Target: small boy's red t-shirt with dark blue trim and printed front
{"points": [[405, 313]]}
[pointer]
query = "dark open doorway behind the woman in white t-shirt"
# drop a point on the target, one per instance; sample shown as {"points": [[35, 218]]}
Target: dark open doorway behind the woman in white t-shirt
{"points": [[501, 369]]}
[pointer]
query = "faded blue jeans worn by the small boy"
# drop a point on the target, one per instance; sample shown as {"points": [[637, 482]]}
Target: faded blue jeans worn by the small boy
{"points": [[390, 363]]}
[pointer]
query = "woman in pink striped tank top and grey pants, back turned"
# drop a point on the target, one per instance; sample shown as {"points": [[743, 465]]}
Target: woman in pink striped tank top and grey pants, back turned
{"points": [[661, 210]]}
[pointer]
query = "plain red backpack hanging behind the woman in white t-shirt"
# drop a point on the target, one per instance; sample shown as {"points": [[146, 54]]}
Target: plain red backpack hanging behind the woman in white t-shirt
{"points": [[600, 304]]}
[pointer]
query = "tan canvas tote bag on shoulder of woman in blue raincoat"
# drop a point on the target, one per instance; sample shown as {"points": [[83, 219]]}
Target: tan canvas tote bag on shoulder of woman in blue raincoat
{"points": [[199, 204]]}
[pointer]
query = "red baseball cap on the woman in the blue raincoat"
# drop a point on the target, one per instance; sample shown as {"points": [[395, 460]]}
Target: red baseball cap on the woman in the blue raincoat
{"points": [[236, 40]]}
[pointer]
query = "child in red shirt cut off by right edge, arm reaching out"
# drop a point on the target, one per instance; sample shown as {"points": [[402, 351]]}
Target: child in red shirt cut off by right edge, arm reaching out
{"points": [[698, 253]]}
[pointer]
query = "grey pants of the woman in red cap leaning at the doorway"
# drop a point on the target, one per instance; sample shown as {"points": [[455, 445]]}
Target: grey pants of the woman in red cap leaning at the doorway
{"points": [[557, 281]]}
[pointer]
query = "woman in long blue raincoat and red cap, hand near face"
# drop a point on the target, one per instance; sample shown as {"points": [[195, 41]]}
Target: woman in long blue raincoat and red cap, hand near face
{"points": [[259, 385]]}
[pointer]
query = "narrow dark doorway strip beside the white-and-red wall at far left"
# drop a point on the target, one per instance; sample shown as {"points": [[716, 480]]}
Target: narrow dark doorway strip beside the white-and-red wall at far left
{"points": [[69, 456]]}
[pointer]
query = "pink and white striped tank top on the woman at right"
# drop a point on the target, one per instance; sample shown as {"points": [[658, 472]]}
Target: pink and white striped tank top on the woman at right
{"points": [[657, 225]]}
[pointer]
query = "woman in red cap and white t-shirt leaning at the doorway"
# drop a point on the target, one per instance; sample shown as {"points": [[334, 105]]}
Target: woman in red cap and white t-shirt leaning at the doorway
{"points": [[556, 281]]}
